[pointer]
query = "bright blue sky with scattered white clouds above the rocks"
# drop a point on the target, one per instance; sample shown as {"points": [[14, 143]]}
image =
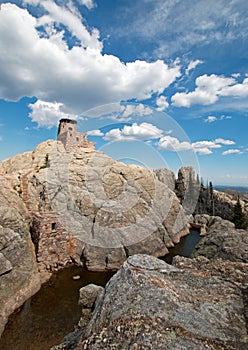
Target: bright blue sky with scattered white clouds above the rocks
{"points": [[157, 82]]}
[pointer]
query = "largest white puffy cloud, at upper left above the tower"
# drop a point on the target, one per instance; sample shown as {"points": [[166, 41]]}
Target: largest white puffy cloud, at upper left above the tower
{"points": [[79, 77]]}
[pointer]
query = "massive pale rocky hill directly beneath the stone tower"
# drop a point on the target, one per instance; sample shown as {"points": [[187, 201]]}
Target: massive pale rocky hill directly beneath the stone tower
{"points": [[87, 207]]}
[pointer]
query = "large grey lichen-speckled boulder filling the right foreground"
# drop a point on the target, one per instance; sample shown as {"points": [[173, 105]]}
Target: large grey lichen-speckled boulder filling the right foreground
{"points": [[150, 304]]}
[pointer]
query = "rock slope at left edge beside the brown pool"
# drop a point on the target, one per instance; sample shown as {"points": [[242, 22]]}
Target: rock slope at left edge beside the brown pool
{"points": [[19, 277]]}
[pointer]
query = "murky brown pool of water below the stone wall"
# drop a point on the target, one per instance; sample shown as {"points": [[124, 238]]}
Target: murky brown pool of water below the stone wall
{"points": [[51, 313]]}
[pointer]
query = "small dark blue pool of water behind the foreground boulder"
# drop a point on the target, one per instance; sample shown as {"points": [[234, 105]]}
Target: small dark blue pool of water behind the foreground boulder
{"points": [[185, 247]]}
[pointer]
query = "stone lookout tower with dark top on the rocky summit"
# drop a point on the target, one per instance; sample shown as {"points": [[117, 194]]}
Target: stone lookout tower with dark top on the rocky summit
{"points": [[70, 137]]}
